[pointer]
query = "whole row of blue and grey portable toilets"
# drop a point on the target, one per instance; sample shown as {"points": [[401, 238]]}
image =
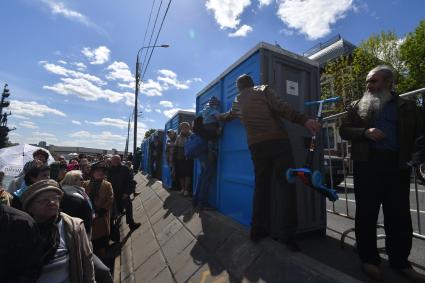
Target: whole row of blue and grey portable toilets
{"points": [[296, 79]]}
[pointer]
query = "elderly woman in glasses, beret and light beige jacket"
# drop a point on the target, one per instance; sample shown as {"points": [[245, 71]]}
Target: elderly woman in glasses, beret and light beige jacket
{"points": [[67, 254]]}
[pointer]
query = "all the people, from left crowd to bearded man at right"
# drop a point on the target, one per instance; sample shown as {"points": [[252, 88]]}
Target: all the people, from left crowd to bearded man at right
{"points": [[57, 221]]}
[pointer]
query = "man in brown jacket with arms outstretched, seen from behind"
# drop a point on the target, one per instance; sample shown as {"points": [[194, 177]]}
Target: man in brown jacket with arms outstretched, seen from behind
{"points": [[259, 109]]}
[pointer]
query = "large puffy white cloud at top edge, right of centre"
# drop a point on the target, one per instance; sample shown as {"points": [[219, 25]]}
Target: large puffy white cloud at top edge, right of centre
{"points": [[303, 15]]}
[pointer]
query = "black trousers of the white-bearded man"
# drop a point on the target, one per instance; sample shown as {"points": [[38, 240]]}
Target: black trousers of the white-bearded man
{"points": [[380, 181]]}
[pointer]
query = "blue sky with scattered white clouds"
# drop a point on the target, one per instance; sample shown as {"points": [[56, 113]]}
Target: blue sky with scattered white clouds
{"points": [[70, 64]]}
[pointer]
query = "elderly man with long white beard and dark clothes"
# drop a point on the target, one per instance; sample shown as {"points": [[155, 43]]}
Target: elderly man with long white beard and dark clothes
{"points": [[382, 127]]}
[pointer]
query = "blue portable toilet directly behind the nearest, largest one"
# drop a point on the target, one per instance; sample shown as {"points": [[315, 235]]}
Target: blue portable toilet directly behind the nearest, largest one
{"points": [[173, 124]]}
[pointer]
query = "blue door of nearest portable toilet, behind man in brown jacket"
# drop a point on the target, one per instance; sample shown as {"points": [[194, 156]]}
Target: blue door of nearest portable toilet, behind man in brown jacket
{"points": [[236, 172]]}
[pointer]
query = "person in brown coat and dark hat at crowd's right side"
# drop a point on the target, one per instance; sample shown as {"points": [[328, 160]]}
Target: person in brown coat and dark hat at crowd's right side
{"points": [[102, 197]]}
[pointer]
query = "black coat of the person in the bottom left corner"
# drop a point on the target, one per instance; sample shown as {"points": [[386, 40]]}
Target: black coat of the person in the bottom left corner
{"points": [[20, 248]]}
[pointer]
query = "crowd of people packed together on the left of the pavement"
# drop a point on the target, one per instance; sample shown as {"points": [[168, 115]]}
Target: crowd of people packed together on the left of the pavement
{"points": [[57, 221]]}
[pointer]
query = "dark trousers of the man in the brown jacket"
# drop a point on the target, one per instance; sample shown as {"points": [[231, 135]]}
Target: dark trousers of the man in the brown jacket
{"points": [[273, 158]]}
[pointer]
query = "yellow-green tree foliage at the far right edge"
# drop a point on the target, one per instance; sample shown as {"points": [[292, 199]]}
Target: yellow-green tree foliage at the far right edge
{"points": [[412, 53]]}
